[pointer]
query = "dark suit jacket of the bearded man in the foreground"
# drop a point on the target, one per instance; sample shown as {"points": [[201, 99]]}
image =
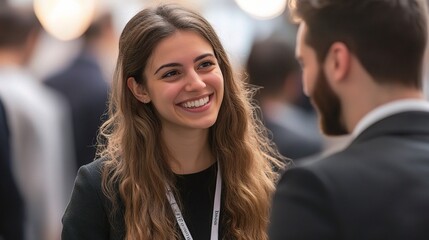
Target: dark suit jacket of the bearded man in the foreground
{"points": [[375, 189]]}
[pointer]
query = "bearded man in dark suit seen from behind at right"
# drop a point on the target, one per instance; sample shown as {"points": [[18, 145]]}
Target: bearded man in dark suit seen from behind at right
{"points": [[362, 63]]}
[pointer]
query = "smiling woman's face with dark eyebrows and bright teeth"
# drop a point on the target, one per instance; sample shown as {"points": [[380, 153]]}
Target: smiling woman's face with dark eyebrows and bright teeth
{"points": [[184, 81]]}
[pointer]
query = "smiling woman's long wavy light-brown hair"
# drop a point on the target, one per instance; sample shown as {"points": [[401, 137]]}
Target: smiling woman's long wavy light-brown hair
{"points": [[136, 162]]}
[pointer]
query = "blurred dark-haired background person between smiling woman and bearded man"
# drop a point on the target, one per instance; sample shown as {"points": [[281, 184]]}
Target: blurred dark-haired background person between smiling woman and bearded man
{"points": [[272, 65]]}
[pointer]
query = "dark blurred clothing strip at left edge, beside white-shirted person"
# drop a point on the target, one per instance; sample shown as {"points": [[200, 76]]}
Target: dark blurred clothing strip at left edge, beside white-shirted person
{"points": [[11, 203]]}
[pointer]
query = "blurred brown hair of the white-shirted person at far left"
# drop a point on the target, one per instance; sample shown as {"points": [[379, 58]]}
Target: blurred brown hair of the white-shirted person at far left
{"points": [[16, 25]]}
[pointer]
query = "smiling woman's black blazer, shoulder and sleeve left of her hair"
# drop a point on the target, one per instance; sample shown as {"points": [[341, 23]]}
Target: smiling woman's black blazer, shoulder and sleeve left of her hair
{"points": [[90, 207]]}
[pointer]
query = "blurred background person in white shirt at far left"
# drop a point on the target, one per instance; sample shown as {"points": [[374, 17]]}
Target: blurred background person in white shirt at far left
{"points": [[38, 124]]}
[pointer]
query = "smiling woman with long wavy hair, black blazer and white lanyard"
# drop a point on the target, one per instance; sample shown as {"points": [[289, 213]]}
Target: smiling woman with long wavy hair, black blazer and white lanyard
{"points": [[182, 155]]}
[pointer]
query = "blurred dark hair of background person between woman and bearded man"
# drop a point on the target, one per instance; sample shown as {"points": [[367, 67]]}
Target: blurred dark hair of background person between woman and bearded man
{"points": [[269, 63]]}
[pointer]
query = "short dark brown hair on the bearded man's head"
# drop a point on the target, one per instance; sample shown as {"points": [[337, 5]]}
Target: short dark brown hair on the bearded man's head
{"points": [[387, 36]]}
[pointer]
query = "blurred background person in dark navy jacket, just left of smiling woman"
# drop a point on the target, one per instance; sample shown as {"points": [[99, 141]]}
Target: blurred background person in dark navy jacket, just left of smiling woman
{"points": [[85, 86]]}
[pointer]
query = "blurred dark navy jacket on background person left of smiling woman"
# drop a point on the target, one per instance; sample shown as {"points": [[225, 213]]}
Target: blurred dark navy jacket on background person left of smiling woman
{"points": [[83, 85]]}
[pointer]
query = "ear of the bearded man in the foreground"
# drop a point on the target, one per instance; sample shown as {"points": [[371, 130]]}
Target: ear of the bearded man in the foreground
{"points": [[337, 62]]}
